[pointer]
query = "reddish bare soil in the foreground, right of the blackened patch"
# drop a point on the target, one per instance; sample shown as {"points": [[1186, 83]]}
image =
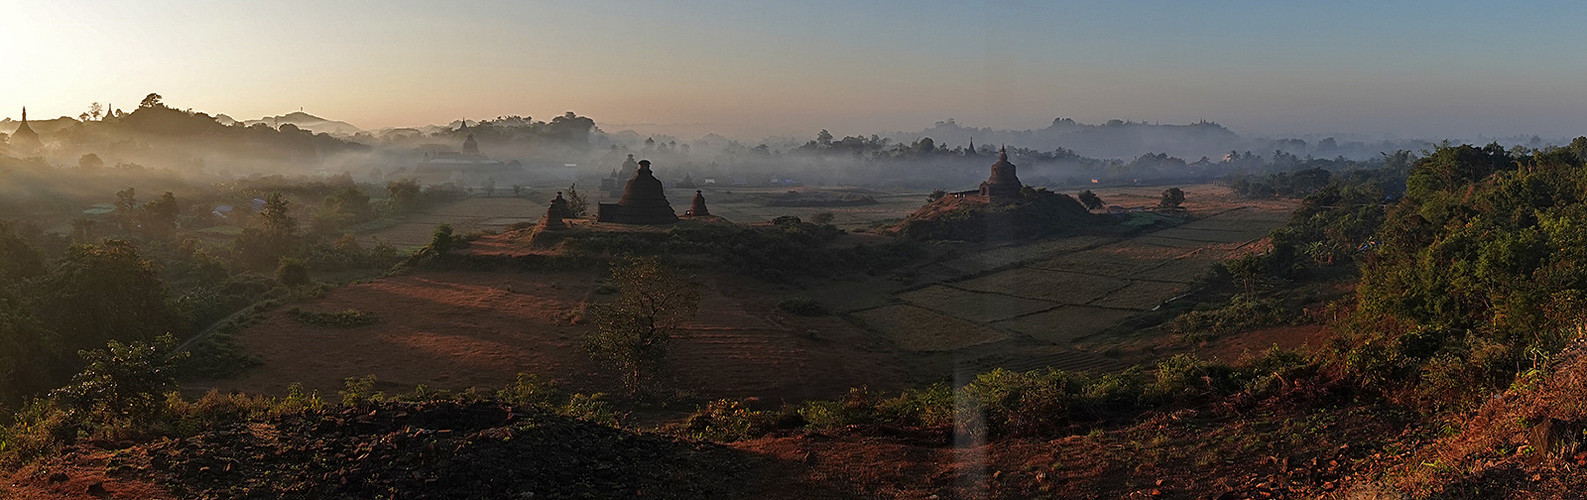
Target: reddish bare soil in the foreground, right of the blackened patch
{"points": [[1255, 450]]}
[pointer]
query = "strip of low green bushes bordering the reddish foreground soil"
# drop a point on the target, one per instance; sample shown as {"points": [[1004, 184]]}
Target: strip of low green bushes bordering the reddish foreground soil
{"points": [[1013, 404]]}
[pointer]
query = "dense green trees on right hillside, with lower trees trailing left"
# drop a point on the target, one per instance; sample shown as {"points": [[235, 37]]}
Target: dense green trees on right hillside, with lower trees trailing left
{"points": [[1469, 282]]}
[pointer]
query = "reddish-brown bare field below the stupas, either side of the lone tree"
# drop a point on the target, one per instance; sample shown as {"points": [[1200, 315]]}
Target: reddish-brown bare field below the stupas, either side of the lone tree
{"points": [[461, 329]]}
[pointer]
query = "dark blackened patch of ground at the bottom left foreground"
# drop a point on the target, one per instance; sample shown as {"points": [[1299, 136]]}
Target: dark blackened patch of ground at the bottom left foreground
{"points": [[442, 450]]}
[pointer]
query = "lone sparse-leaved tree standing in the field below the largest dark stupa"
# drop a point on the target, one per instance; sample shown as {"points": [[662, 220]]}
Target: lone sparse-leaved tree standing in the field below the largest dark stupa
{"points": [[632, 333]]}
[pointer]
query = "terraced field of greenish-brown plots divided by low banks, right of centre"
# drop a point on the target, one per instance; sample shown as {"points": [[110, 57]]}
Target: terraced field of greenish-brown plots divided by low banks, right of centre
{"points": [[1028, 307]]}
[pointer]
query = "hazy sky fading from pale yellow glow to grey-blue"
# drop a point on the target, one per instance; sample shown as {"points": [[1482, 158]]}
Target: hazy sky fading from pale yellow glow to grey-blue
{"points": [[1405, 69]]}
